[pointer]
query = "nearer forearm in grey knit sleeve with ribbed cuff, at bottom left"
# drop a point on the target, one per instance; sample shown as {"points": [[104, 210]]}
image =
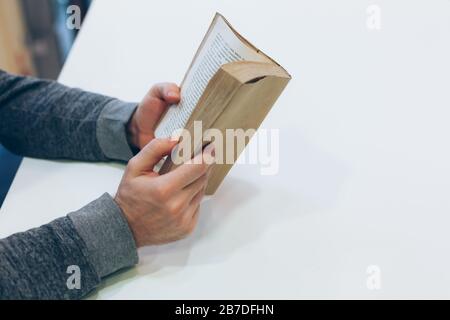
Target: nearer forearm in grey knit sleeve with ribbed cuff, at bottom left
{"points": [[96, 240]]}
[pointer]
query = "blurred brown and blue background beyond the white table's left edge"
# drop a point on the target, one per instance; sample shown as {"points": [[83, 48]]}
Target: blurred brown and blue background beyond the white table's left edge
{"points": [[35, 41]]}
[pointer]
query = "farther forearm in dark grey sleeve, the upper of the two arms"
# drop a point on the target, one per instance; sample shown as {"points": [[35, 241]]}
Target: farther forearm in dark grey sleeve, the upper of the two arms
{"points": [[45, 119]]}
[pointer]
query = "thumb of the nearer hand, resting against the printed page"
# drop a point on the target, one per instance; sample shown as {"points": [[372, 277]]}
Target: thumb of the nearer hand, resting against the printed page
{"points": [[150, 155]]}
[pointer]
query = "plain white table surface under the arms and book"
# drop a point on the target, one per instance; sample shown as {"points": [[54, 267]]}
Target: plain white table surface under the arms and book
{"points": [[364, 159]]}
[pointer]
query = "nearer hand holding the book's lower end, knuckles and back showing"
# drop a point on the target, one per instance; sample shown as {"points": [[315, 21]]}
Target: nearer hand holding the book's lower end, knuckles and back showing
{"points": [[163, 208]]}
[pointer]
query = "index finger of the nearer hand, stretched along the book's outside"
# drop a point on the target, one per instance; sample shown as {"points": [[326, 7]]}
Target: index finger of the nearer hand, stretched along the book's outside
{"points": [[189, 172]]}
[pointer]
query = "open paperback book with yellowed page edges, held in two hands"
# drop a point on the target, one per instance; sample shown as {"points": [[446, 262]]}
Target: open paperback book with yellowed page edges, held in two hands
{"points": [[229, 85]]}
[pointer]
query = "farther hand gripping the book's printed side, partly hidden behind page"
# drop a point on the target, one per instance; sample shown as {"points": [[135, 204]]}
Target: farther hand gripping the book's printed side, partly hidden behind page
{"points": [[141, 128]]}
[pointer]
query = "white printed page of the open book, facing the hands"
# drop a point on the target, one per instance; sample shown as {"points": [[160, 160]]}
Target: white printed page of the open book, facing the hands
{"points": [[221, 46]]}
